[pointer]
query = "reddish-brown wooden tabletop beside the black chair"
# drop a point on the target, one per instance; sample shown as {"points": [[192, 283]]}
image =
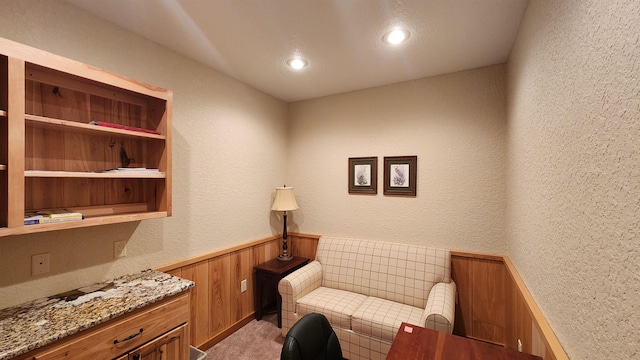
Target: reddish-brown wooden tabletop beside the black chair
{"points": [[418, 343]]}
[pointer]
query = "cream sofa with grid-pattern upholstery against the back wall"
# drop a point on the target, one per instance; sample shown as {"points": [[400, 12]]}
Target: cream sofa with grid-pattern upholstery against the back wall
{"points": [[367, 288]]}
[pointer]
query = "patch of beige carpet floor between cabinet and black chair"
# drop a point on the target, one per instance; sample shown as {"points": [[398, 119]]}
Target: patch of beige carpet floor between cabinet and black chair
{"points": [[258, 340]]}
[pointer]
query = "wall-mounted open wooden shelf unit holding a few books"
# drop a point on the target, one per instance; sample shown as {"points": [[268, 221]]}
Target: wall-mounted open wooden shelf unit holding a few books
{"points": [[63, 124]]}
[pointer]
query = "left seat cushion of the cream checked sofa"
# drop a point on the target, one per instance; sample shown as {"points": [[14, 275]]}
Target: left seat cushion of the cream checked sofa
{"points": [[336, 305]]}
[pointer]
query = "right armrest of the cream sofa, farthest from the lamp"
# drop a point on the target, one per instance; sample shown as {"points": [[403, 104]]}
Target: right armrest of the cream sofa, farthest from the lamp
{"points": [[439, 314]]}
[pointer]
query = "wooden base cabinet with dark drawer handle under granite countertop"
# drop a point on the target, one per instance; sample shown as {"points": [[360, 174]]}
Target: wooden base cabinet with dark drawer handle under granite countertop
{"points": [[159, 331]]}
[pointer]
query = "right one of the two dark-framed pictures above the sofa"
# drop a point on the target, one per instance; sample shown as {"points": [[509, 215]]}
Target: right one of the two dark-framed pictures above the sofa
{"points": [[400, 175]]}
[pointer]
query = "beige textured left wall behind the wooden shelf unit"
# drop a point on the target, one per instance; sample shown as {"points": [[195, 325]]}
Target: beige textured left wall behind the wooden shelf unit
{"points": [[229, 145]]}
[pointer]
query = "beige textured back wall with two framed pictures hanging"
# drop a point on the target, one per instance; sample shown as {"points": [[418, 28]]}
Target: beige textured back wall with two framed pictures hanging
{"points": [[455, 124]]}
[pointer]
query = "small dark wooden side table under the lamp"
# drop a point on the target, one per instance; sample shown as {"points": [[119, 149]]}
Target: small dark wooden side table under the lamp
{"points": [[268, 275]]}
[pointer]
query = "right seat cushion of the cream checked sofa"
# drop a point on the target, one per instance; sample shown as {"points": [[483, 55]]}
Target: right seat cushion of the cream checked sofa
{"points": [[381, 318]]}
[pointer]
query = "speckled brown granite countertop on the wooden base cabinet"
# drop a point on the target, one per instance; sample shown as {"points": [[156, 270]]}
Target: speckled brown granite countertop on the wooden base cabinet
{"points": [[32, 325]]}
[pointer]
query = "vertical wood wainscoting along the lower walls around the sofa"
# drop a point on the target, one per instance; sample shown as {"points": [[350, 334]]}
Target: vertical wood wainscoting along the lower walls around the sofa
{"points": [[492, 303]]}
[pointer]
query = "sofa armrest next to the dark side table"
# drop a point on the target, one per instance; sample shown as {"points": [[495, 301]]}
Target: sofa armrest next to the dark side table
{"points": [[294, 286]]}
